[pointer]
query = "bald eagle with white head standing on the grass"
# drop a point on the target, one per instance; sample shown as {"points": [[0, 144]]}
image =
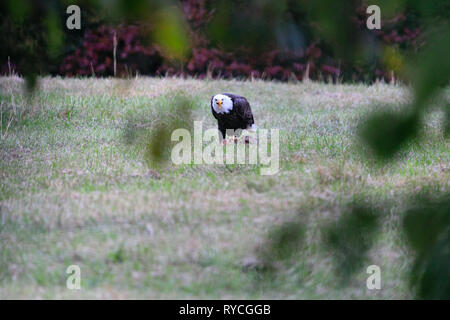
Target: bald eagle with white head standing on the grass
{"points": [[232, 112]]}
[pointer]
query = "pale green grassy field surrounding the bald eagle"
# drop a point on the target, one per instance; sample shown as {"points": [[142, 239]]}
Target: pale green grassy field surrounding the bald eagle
{"points": [[75, 190]]}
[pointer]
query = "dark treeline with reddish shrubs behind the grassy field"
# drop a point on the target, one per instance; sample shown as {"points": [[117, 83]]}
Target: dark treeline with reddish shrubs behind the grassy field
{"points": [[282, 40]]}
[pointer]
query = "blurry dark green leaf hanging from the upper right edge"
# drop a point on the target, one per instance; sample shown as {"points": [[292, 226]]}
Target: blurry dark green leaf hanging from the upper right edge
{"points": [[429, 72]]}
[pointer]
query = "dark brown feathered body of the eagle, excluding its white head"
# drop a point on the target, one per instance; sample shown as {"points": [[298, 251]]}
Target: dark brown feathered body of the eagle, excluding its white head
{"points": [[240, 117]]}
